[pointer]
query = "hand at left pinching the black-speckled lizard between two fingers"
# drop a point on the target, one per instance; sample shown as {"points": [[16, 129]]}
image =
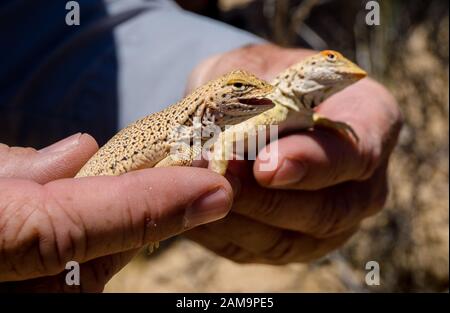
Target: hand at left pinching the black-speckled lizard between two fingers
{"points": [[100, 222]]}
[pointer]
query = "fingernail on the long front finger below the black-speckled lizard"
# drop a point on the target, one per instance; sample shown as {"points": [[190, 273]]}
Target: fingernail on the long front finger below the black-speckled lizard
{"points": [[208, 208]]}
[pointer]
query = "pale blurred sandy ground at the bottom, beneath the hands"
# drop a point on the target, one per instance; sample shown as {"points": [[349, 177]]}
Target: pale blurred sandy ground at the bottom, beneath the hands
{"points": [[187, 267]]}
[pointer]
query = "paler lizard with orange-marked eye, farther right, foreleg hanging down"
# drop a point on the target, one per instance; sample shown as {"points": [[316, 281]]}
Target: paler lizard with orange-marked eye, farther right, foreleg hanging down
{"points": [[298, 90]]}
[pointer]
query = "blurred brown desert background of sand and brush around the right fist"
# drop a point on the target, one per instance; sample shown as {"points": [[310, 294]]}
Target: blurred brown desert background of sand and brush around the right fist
{"points": [[408, 52]]}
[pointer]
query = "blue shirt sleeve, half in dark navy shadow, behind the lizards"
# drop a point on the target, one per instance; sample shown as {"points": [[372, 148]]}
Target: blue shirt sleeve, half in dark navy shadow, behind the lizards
{"points": [[126, 59]]}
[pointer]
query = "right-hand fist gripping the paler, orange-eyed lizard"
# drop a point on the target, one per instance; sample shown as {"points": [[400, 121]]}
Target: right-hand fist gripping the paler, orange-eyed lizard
{"points": [[323, 185]]}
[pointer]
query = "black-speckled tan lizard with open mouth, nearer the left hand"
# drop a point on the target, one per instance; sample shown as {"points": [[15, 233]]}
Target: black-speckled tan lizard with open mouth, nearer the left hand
{"points": [[228, 100]]}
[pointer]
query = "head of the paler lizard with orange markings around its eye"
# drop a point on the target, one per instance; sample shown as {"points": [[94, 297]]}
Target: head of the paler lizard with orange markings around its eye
{"points": [[318, 77]]}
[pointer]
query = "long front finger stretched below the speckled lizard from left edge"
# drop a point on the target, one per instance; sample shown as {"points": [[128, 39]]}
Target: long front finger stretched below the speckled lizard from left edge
{"points": [[43, 227]]}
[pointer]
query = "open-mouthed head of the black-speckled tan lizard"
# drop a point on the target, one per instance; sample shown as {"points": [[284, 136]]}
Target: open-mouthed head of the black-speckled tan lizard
{"points": [[240, 96]]}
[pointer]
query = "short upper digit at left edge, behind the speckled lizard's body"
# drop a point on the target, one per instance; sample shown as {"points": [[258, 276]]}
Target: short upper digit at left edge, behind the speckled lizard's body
{"points": [[61, 160]]}
